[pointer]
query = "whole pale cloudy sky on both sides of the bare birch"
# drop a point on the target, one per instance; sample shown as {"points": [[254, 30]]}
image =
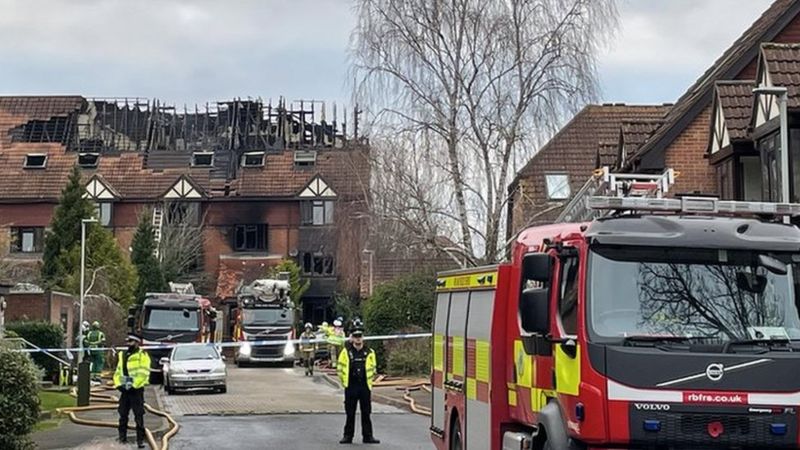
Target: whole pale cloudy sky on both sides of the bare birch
{"points": [[194, 51]]}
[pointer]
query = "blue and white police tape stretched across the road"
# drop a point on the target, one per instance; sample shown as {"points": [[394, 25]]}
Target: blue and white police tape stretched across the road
{"points": [[254, 343]]}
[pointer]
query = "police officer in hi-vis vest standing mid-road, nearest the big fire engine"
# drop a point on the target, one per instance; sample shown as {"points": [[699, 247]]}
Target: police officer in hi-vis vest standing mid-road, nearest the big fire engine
{"points": [[357, 368]]}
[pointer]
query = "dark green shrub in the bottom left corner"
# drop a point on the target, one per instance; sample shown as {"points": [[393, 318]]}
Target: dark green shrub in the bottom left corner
{"points": [[19, 402]]}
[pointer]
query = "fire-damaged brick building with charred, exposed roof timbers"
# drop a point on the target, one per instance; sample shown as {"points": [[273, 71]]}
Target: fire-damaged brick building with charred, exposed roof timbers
{"points": [[260, 183]]}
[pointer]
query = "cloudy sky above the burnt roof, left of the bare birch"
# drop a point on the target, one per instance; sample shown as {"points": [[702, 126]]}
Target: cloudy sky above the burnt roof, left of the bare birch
{"points": [[179, 50]]}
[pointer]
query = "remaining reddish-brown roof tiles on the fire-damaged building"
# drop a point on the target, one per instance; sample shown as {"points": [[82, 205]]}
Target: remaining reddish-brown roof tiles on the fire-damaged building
{"points": [[346, 170]]}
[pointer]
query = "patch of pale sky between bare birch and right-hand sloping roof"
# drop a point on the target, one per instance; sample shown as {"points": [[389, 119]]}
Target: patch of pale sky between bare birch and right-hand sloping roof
{"points": [[663, 46]]}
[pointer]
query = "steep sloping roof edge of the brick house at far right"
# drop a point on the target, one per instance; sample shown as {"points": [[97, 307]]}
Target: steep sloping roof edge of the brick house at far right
{"points": [[731, 63]]}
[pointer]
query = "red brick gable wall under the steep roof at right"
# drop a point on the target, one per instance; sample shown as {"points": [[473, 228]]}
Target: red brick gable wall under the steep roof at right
{"points": [[687, 155]]}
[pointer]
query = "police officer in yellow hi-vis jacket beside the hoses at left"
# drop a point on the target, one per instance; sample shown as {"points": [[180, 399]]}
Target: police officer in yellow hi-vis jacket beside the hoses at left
{"points": [[130, 378]]}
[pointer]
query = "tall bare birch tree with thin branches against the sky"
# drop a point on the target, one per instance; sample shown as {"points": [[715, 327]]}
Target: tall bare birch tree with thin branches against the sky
{"points": [[476, 83]]}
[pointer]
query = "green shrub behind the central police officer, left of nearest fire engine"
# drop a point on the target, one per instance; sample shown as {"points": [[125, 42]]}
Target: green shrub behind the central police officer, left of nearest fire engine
{"points": [[399, 305]]}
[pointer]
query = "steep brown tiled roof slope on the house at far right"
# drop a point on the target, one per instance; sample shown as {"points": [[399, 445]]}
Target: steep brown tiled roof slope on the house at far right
{"points": [[729, 62]]}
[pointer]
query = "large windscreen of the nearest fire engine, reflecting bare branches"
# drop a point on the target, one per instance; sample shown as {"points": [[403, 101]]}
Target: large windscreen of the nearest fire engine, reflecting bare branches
{"points": [[707, 295]]}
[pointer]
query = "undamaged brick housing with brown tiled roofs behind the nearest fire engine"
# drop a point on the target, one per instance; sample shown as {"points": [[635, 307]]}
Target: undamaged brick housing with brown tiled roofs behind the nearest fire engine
{"points": [[718, 135]]}
